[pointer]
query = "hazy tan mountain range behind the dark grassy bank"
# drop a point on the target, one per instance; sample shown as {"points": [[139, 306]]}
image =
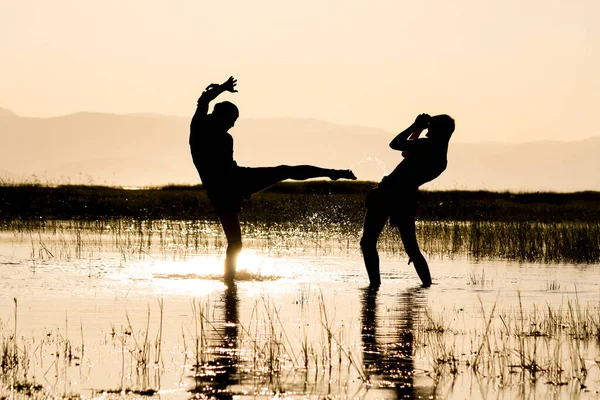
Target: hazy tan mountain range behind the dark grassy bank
{"points": [[150, 149]]}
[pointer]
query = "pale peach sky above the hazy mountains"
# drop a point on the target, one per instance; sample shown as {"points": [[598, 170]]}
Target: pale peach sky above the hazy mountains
{"points": [[509, 70]]}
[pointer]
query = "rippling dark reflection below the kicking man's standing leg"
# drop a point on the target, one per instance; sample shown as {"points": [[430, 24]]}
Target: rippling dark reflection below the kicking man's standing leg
{"points": [[216, 379]]}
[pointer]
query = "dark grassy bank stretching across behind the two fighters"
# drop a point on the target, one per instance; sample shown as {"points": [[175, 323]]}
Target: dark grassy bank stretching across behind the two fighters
{"points": [[288, 202]]}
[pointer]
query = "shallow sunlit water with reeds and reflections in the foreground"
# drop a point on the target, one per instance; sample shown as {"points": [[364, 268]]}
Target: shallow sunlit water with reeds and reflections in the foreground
{"points": [[301, 321]]}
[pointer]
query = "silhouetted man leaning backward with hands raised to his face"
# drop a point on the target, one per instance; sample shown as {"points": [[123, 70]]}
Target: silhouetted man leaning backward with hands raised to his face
{"points": [[395, 198]]}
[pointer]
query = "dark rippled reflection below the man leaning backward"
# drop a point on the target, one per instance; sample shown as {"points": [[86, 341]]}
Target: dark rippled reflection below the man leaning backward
{"points": [[388, 348]]}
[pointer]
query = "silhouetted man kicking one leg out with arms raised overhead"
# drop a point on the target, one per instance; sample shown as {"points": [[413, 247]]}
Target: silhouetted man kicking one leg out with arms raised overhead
{"points": [[225, 182]]}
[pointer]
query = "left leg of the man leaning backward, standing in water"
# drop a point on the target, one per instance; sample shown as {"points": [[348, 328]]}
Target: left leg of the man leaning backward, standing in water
{"points": [[374, 223]]}
